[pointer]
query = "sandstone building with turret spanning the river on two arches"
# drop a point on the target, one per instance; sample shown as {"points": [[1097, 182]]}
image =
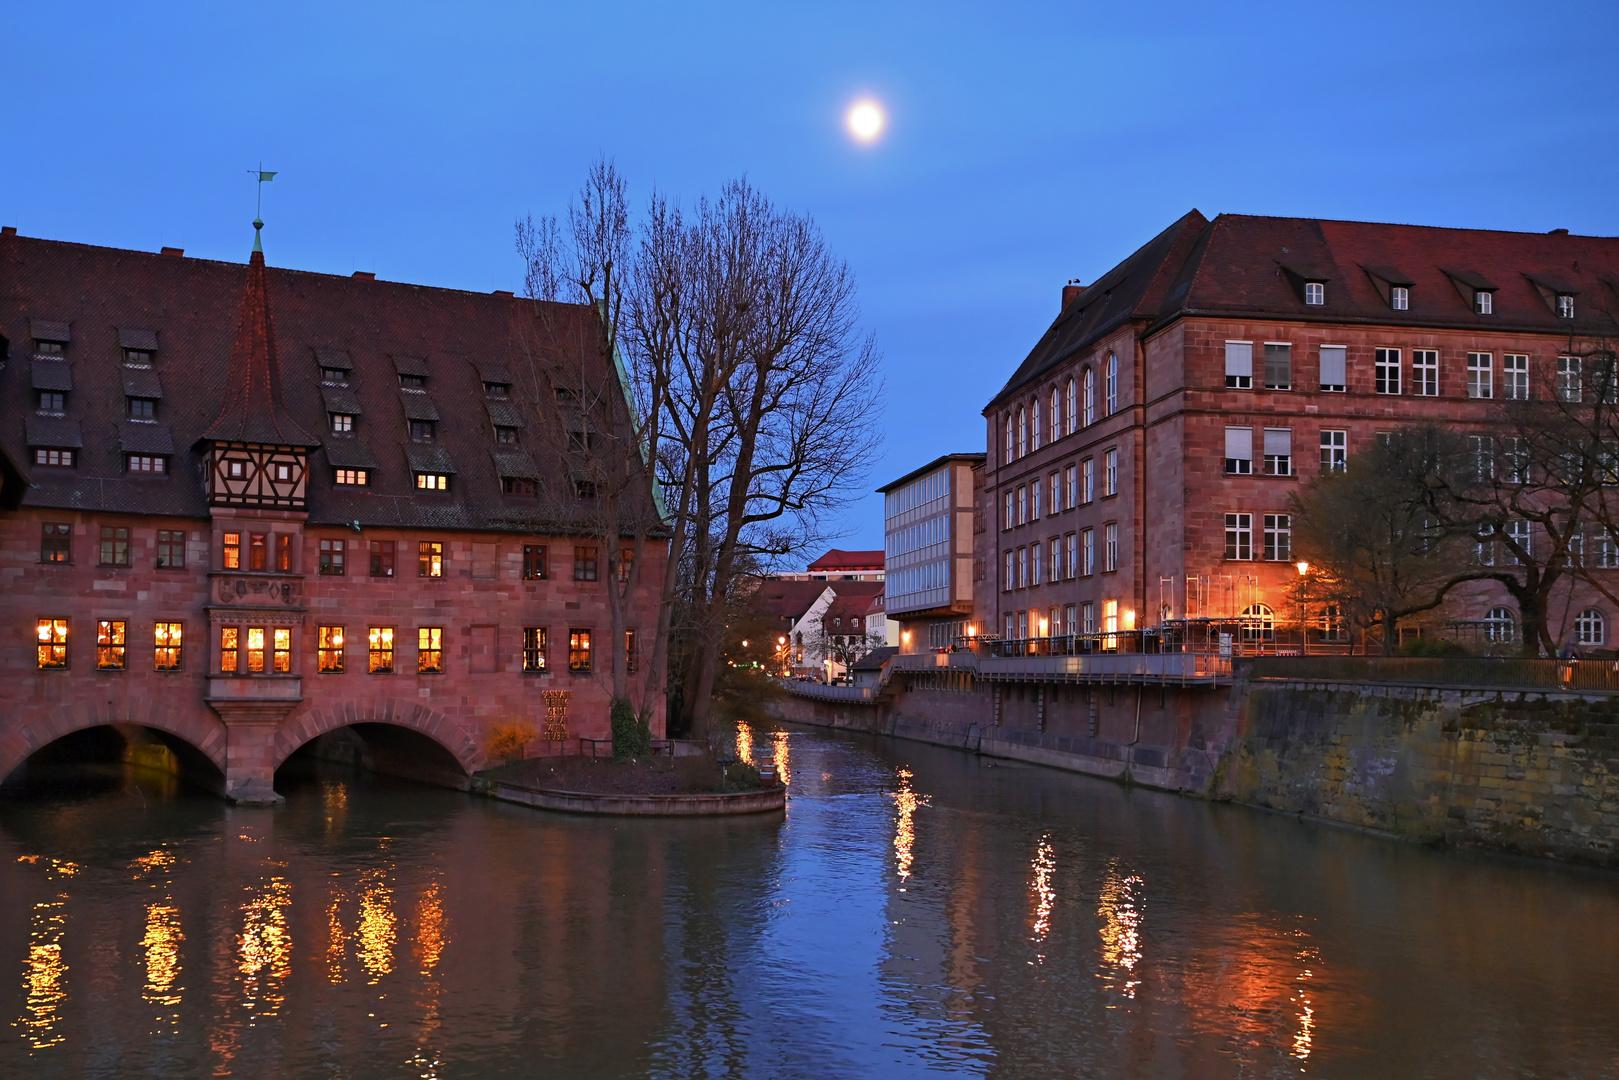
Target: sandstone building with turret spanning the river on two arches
{"points": [[244, 508]]}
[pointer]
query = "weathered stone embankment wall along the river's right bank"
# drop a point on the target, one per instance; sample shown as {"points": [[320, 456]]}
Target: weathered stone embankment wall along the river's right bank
{"points": [[1532, 773]]}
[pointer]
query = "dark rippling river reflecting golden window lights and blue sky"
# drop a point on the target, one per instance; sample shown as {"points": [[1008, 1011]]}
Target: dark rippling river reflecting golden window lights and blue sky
{"points": [[916, 912]]}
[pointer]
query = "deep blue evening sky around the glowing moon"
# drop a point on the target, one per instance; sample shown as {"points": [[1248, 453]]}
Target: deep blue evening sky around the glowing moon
{"points": [[1027, 145]]}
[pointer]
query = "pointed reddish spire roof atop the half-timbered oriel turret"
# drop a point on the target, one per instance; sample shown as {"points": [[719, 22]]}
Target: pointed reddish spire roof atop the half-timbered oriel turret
{"points": [[253, 409]]}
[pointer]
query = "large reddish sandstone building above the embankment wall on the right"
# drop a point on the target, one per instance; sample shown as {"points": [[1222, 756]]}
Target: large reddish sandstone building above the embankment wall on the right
{"points": [[1142, 456]]}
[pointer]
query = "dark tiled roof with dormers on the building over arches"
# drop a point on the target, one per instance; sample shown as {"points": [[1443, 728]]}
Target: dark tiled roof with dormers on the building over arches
{"points": [[192, 308]]}
